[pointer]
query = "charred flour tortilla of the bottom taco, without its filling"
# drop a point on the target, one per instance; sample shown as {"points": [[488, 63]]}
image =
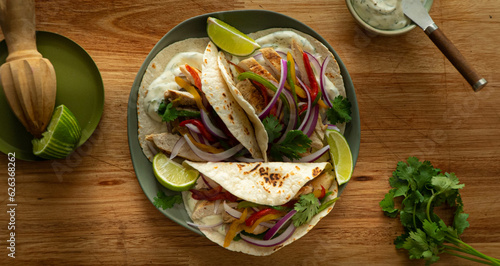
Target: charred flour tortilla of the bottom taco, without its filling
{"points": [[231, 175]]}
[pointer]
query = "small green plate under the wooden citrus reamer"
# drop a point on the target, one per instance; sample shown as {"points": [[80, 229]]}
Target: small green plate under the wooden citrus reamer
{"points": [[79, 87]]}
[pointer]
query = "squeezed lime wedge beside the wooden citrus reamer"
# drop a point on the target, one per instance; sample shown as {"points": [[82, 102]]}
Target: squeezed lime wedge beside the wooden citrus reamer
{"points": [[61, 137]]}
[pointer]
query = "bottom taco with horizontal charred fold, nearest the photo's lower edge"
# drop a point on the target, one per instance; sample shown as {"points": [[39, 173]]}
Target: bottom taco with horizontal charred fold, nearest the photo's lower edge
{"points": [[258, 208]]}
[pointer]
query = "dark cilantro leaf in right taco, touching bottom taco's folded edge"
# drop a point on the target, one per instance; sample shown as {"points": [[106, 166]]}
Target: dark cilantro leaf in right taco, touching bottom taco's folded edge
{"points": [[295, 143]]}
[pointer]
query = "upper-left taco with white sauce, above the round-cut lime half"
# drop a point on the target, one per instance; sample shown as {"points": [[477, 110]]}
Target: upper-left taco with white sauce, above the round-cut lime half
{"points": [[186, 109]]}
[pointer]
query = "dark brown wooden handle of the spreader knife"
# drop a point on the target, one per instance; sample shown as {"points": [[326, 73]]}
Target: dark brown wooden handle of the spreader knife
{"points": [[457, 59]]}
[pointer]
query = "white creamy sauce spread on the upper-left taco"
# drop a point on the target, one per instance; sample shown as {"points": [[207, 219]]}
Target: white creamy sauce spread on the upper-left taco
{"points": [[156, 90]]}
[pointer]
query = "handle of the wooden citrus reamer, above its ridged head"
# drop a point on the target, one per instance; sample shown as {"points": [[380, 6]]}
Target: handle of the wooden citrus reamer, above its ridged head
{"points": [[17, 19]]}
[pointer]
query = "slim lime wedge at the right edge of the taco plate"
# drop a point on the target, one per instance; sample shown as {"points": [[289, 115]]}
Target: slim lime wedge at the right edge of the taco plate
{"points": [[341, 155]]}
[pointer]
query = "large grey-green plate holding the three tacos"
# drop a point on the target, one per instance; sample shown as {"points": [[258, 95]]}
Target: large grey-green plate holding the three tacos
{"points": [[246, 21]]}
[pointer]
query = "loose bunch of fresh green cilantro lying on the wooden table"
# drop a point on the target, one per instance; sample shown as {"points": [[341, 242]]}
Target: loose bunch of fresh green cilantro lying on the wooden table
{"points": [[422, 188]]}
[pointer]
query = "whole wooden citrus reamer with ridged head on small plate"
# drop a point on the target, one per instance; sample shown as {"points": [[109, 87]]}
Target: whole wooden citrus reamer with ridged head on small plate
{"points": [[28, 80]]}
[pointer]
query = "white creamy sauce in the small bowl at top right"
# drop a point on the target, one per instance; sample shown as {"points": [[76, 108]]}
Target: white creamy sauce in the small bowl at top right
{"points": [[382, 14]]}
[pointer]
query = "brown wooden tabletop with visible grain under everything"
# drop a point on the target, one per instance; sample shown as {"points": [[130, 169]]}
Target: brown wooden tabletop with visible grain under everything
{"points": [[412, 102]]}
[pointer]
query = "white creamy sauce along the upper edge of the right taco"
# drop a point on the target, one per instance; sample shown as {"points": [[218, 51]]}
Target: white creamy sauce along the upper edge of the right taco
{"points": [[281, 41]]}
